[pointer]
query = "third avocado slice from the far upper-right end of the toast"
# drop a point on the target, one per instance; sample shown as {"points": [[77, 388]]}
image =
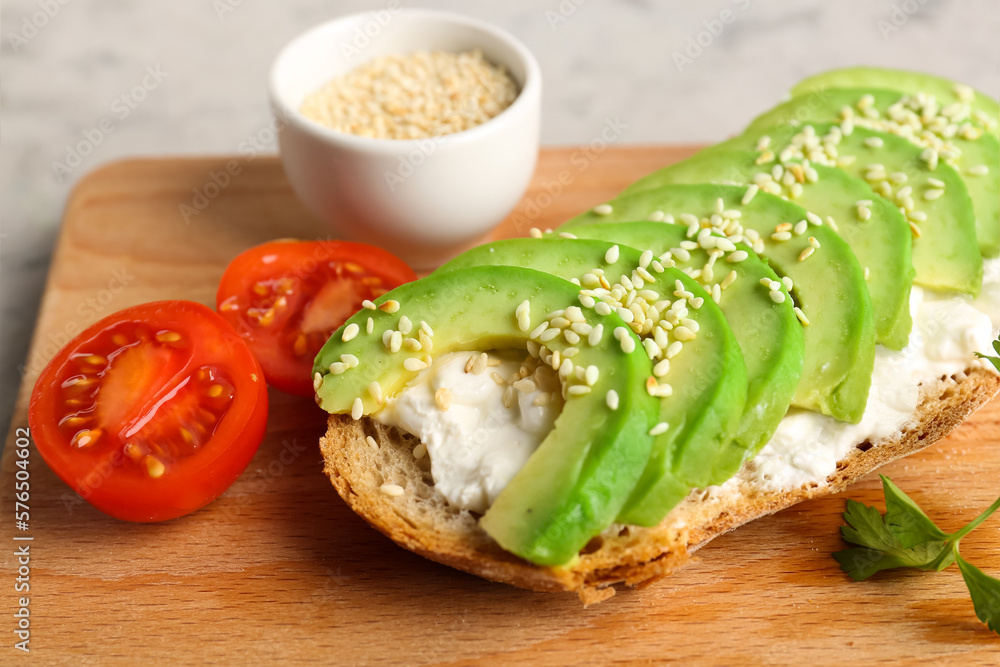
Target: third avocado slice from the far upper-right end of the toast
{"points": [[945, 248]]}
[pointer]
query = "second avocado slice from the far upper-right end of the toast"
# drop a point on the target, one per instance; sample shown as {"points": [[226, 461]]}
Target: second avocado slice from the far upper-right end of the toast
{"points": [[975, 154]]}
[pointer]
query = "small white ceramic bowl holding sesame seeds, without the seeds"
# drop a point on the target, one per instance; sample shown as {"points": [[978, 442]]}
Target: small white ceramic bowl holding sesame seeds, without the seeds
{"points": [[422, 199]]}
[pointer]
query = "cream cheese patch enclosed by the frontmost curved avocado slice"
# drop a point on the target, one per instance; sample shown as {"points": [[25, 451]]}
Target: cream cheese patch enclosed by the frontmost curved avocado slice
{"points": [[476, 445]]}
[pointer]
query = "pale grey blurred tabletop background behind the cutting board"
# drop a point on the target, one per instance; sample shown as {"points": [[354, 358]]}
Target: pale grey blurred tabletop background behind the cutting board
{"points": [[63, 63]]}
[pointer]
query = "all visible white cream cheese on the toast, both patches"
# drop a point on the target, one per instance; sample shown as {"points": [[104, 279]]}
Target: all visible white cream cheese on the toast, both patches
{"points": [[477, 445]]}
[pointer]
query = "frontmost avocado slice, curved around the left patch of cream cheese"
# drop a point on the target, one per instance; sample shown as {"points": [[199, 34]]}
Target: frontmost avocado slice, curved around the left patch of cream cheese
{"points": [[578, 479]]}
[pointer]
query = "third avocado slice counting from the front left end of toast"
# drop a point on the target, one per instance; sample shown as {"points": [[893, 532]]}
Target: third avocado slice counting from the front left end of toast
{"points": [[769, 334]]}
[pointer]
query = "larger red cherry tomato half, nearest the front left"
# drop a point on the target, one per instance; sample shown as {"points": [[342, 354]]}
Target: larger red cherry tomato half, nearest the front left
{"points": [[152, 412]]}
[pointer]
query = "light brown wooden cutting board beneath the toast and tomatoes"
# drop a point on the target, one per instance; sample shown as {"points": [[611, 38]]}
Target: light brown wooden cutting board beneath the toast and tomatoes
{"points": [[279, 568]]}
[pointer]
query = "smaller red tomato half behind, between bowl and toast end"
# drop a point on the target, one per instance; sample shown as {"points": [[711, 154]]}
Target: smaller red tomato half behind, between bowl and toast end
{"points": [[286, 298]]}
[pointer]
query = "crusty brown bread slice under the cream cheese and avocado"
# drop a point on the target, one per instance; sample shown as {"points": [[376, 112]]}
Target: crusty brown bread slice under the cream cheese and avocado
{"points": [[422, 521]]}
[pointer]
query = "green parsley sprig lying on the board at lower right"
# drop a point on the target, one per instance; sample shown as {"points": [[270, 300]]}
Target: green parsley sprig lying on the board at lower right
{"points": [[906, 537]]}
